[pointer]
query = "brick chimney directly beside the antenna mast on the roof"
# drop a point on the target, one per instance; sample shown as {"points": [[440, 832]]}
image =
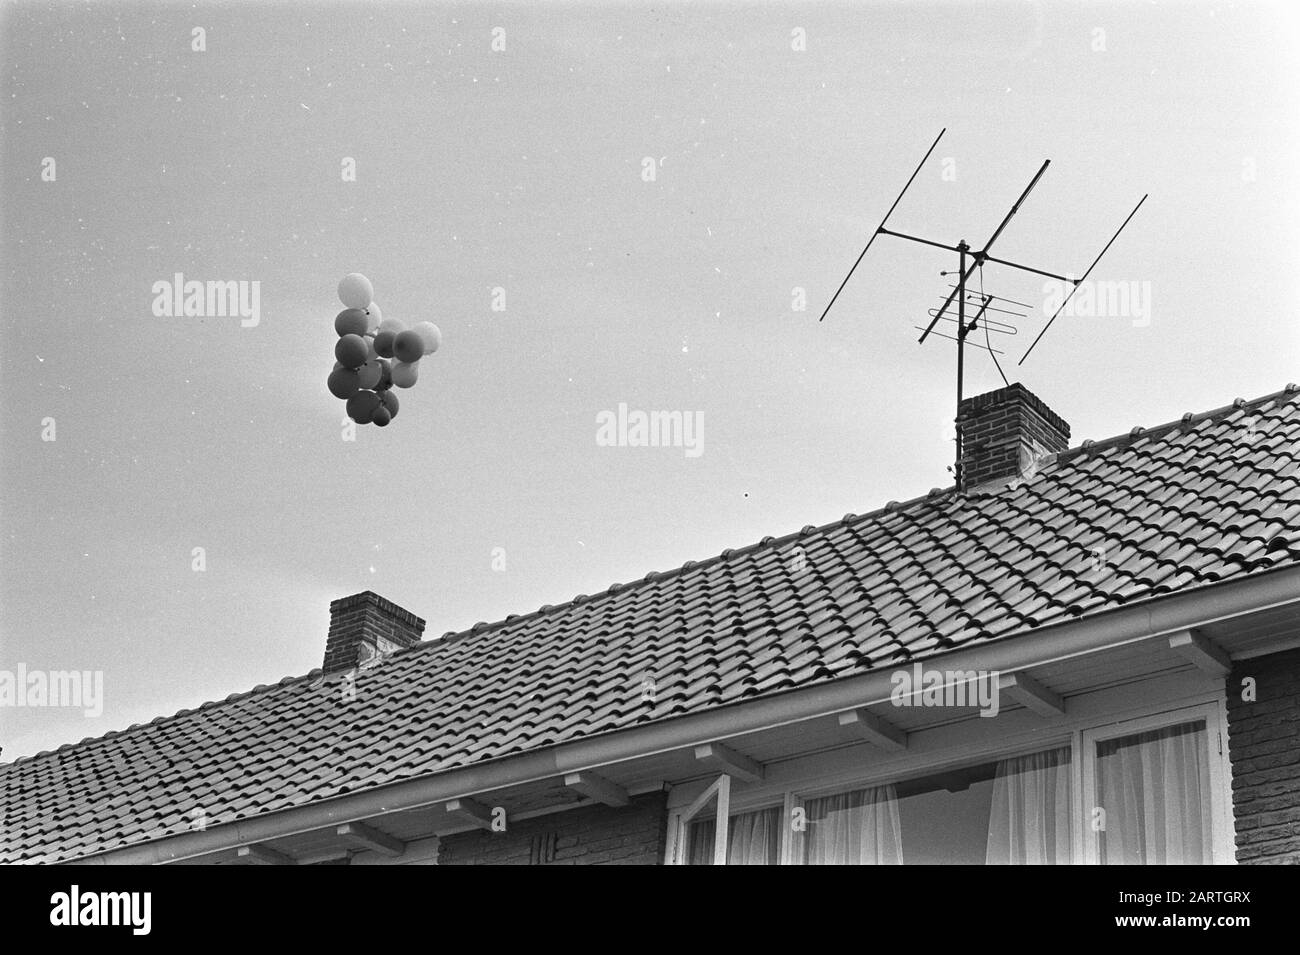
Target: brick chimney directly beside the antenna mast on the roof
{"points": [[1004, 433]]}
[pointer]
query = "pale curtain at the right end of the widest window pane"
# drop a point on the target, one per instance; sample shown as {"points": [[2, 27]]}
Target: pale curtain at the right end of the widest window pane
{"points": [[1029, 822]]}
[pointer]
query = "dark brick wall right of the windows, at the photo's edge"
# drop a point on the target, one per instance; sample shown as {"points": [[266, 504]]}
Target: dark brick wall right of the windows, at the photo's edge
{"points": [[1264, 745]]}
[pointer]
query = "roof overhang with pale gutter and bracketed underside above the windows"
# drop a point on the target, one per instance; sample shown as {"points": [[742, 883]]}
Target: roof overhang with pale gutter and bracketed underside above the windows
{"points": [[1202, 628]]}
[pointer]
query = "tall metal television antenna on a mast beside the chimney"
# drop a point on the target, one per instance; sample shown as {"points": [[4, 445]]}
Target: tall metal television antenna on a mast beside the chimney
{"points": [[968, 262]]}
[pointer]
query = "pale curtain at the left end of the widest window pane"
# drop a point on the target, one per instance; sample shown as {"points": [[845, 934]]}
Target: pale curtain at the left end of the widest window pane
{"points": [[859, 828]]}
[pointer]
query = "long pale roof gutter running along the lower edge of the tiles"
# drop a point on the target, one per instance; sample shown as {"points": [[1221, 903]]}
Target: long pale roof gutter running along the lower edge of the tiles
{"points": [[1149, 620]]}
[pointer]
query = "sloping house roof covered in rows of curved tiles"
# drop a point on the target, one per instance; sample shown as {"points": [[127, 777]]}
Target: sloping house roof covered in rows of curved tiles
{"points": [[1202, 501]]}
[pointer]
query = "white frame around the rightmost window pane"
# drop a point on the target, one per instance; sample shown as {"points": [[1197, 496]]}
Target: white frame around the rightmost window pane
{"points": [[1223, 844]]}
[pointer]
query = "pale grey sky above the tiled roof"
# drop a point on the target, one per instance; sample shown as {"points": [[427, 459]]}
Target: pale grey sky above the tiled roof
{"points": [[662, 197]]}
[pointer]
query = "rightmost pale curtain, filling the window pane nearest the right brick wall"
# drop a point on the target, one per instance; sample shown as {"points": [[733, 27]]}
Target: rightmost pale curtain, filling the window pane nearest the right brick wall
{"points": [[1155, 792]]}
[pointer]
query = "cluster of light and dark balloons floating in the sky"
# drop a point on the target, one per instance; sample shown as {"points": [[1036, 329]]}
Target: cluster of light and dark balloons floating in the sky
{"points": [[374, 354]]}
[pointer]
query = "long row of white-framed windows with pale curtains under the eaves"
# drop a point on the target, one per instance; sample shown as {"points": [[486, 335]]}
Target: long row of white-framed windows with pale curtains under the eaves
{"points": [[1150, 791]]}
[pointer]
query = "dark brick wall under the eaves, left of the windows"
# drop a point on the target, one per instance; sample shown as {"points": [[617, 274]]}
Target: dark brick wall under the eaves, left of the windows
{"points": [[592, 836]]}
